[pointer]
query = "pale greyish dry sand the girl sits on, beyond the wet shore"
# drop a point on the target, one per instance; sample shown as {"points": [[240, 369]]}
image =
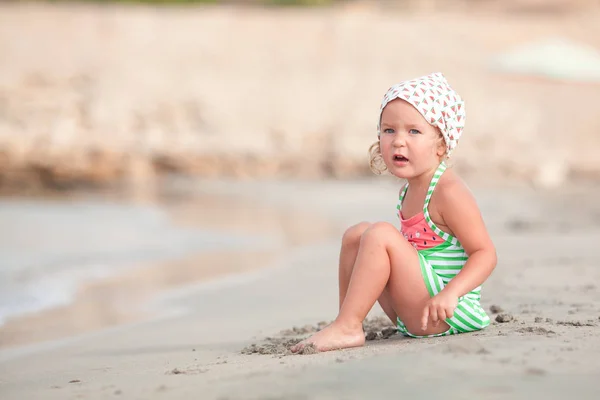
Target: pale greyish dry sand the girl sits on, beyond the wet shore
{"points": [[545, 289]]}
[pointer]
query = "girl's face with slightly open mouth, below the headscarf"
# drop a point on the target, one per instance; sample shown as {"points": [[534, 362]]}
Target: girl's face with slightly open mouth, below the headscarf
{"points": [[409, 145]]}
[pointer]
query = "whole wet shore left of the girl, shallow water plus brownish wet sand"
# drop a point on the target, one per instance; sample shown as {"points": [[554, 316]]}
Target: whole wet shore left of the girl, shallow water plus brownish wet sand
{"points": [[128, 253]]}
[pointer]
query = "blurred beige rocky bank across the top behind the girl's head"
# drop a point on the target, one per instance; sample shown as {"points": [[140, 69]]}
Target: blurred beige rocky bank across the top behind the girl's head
{"points": [[105, 94]]}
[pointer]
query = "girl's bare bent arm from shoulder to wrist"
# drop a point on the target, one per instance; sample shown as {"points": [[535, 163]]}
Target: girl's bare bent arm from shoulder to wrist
{"points": [[461, 214]]}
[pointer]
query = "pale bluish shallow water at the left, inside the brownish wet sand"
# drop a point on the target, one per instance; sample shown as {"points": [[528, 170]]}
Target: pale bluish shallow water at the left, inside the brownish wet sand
{"points": [[49, 248]]}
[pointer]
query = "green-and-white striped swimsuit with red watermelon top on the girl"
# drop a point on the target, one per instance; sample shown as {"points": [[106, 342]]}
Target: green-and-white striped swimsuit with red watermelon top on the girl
{"points": [[441, 257]]}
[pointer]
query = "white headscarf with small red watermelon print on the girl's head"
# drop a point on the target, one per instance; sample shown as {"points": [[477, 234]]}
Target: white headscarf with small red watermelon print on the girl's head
{"points": [[439, 104]]}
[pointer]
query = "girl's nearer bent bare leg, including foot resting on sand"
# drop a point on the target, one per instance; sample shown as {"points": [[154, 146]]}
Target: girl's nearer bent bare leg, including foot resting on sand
{"points": [[385, 260]]}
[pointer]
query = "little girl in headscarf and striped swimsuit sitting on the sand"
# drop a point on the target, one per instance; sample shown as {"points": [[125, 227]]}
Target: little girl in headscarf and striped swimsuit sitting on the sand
{"points": [[427, 276]]}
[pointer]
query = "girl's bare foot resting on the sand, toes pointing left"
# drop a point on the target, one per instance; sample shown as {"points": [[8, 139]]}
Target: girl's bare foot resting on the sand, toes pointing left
{"points": [[334, 337]]}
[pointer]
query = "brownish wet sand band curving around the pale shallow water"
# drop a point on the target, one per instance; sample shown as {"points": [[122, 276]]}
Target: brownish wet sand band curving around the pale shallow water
{"points": [[127, 297]]}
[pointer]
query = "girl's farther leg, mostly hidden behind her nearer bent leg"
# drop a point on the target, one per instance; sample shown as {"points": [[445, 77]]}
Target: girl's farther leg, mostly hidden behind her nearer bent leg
{"points": [[348, 253]]}
